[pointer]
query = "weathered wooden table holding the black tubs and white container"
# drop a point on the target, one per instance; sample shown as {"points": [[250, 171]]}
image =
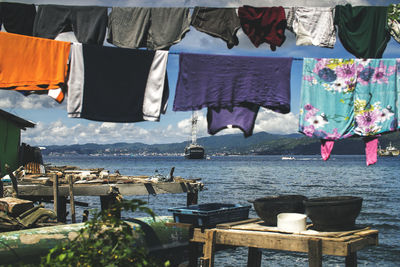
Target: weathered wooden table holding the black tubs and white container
{"points": [[254, 235]]}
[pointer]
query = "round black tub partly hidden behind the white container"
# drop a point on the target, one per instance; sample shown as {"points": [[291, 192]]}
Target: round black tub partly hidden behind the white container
{"points": [[269, 207]]}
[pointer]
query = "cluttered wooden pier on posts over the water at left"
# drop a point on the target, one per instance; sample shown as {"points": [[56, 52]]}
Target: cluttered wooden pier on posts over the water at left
{"points": [[58, 186]]}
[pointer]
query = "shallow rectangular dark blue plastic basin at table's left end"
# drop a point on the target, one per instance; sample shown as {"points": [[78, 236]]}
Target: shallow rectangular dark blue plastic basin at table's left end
{"points": [[210, 214]]}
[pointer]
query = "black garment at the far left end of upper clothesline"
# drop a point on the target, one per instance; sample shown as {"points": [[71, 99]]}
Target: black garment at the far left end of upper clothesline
{"points": [[17, 18]]}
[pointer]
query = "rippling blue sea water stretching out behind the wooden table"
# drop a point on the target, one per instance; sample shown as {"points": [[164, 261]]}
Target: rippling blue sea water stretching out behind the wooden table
{"points": [[237, 179]]}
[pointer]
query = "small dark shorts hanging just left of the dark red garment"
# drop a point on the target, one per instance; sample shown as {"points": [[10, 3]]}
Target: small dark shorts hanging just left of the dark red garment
{"points": [[218, 22]]}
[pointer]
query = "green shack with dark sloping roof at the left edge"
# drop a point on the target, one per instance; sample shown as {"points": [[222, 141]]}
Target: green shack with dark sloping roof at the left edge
{"points": [[10, 139]]}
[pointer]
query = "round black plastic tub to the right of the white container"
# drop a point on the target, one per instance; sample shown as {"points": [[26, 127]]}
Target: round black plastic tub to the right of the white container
{"points": [[336, 213]]}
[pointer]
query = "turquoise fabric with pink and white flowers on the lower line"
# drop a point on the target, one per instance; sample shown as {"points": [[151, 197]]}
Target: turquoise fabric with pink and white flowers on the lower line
{"points": [[341, 98]]}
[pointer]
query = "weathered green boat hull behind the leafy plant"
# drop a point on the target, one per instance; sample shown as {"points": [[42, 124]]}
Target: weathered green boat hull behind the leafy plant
{"points": [[163, 241]]}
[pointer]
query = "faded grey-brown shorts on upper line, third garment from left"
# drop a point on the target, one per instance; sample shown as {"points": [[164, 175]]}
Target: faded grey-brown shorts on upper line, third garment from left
{"points": [[154, 28]]}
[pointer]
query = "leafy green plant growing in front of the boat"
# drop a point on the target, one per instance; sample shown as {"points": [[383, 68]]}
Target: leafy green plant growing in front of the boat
{"points": [[106, 240]]}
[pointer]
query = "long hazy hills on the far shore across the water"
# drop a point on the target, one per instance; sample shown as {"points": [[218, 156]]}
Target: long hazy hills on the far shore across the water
{"points": [[260, 143]]}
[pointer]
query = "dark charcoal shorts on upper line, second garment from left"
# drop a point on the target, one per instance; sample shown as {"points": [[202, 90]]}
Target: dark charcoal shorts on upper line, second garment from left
{"points": [[88, 23]]}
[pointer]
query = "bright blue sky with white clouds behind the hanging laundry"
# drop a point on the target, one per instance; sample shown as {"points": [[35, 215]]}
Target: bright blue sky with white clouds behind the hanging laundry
{"points": [[53, 127]]}
